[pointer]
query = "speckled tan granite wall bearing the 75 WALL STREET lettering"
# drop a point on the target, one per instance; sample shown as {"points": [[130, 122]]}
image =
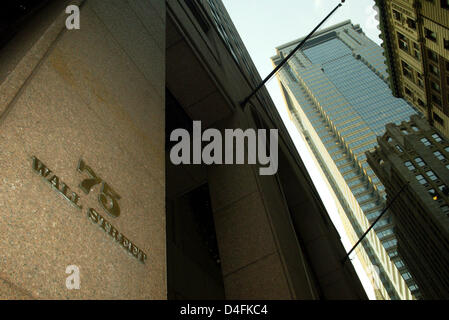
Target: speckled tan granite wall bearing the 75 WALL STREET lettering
{"points": [[95, 94]]}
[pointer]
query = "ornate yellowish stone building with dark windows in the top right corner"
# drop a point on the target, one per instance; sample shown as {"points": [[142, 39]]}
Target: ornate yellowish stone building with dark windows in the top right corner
{"points": [[416, 42]]}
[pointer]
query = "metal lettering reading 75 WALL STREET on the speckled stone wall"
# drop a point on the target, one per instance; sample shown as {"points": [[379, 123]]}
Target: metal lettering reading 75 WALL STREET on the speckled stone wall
{"points": [[107, 198]]}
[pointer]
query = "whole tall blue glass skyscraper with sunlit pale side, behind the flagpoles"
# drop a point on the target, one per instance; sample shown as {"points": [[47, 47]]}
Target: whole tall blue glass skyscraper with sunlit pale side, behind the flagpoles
{"points": [[337, 94]]}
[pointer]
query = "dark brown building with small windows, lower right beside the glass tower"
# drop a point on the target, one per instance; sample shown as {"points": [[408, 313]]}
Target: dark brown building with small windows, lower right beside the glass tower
{"points": [[415, 153]]}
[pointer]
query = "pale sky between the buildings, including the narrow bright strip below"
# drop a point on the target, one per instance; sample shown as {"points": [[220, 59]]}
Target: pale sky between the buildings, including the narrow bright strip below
{"points": [[265, 24]]}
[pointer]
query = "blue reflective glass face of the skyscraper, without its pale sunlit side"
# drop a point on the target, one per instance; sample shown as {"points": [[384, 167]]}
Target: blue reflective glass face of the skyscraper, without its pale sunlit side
{"points": [[339, 80]]}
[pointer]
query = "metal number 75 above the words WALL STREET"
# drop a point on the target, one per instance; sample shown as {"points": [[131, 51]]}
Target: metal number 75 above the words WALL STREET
{"points": [[108, 198]]}
